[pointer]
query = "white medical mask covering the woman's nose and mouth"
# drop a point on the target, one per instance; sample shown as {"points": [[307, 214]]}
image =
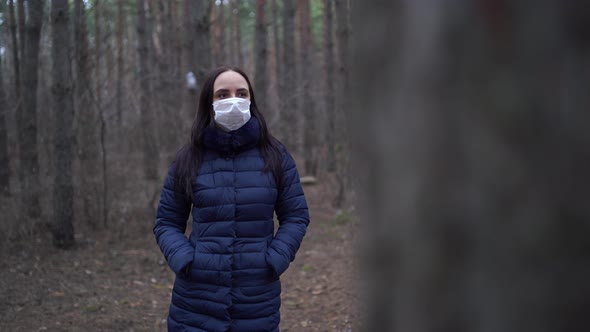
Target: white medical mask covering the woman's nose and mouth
{"points": [[231, 113]]}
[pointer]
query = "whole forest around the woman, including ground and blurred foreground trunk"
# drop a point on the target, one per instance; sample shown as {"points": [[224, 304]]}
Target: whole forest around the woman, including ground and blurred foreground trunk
{"points": [[443, 148]]}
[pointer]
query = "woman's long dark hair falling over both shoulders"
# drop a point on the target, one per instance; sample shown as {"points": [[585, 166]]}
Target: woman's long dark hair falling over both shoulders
{"points": [[189, 157]]}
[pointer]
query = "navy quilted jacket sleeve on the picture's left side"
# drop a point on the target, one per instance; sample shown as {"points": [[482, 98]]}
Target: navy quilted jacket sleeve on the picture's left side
{"points": [[173, 211]]}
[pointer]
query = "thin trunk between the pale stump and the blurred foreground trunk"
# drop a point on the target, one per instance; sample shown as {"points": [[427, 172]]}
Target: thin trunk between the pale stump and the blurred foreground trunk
{"points": [[329, 85]]}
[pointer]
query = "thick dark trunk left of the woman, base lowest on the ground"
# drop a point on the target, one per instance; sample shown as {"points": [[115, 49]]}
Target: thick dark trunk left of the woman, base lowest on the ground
{"points": [[63, 230]]}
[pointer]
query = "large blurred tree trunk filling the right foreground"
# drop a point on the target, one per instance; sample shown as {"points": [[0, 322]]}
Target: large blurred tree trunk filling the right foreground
{"points": [[471, 127]]}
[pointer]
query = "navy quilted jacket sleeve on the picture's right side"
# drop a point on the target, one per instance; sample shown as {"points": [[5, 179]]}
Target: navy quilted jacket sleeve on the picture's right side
{"points": [[292, 212]]}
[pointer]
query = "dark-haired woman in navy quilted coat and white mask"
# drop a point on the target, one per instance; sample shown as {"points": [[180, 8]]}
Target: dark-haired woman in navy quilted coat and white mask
{"points": [[234, 175]]}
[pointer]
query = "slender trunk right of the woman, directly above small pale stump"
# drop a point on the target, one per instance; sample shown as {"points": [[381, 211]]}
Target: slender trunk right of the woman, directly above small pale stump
{"points": [[308, 104]]}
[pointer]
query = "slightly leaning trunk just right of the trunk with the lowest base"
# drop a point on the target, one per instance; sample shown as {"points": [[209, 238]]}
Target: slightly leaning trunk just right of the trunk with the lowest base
{"points": [[87, 135]]}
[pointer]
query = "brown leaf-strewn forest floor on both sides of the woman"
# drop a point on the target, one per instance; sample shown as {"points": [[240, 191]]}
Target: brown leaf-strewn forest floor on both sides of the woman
{"points": [[119, 281]]}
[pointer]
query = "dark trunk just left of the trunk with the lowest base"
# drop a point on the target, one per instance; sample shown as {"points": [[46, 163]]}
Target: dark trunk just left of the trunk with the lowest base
{"points": [[27, 121]]}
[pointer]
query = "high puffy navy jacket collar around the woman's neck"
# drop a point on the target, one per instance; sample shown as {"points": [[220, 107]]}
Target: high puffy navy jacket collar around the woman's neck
{"points": [[232, 142]]}
